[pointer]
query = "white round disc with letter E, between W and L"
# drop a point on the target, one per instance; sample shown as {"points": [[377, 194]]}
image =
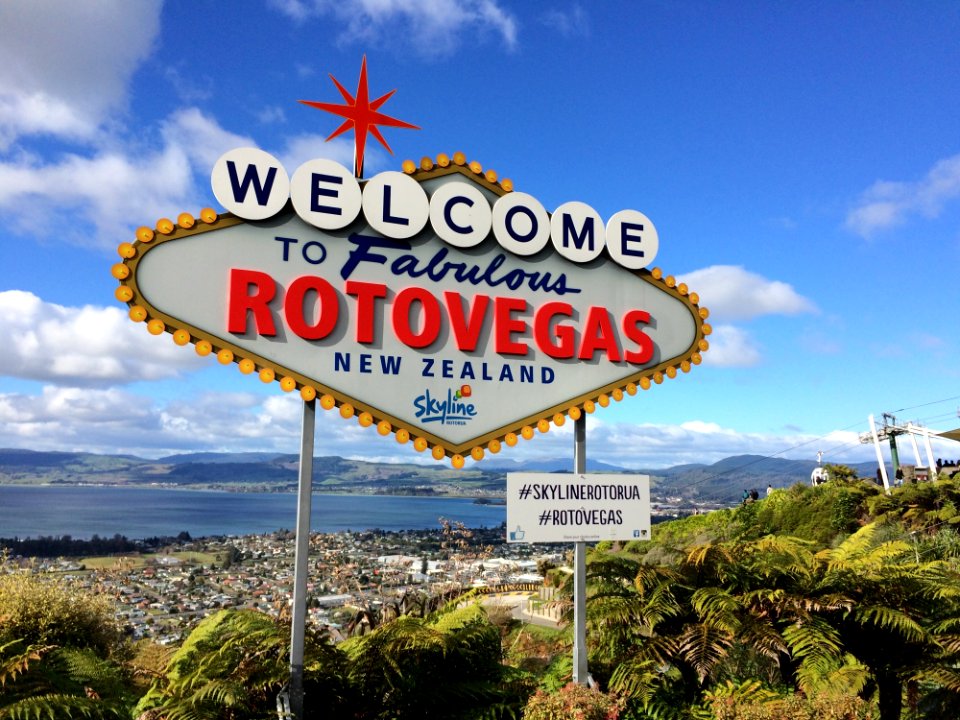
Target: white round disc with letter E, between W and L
{"points": [[325, 194]]}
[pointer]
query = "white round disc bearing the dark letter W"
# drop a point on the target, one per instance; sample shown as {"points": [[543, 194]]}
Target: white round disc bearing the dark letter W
{"points": [[250, 183]]}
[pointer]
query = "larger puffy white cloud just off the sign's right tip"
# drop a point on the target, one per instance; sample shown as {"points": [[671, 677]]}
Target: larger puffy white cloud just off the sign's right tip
{"points": [[732, 293]]}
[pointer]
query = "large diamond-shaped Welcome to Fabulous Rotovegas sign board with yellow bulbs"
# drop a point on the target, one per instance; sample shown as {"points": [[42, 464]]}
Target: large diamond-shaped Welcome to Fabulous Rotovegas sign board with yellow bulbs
{"points": [[435, 304]]}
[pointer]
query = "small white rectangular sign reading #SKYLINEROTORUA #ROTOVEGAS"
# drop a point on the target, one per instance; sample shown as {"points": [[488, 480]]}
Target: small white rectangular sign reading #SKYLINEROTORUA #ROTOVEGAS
{"points": [[561, 508]]}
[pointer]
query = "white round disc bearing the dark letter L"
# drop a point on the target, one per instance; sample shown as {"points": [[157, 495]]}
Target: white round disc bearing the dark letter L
{"points": [[395, 205]]}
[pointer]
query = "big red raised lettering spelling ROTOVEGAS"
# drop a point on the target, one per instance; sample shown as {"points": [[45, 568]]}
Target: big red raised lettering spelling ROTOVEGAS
{"points": [[312, 310]]}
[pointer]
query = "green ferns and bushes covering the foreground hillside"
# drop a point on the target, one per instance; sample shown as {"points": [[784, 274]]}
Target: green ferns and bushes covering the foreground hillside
{"points": [[837, 602]]}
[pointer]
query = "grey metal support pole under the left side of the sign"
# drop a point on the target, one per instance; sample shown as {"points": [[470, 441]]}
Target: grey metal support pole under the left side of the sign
{"points": [[299, 621]]}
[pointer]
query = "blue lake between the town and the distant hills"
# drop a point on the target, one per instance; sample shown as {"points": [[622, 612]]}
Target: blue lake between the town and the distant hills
{"points": [[82, 511]]}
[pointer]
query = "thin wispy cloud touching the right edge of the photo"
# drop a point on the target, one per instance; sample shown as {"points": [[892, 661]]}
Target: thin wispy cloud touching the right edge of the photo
{"points": [[887, 204]]}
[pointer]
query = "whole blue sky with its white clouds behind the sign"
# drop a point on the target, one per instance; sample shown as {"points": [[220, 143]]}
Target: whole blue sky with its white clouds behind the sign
{"points": [[801, 162]]}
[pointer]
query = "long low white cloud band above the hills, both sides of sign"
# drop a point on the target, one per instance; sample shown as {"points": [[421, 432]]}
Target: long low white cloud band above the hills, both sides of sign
{"points": [[115, 420]]}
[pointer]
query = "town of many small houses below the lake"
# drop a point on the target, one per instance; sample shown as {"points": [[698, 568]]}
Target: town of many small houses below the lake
{"points": [[162, 595]]}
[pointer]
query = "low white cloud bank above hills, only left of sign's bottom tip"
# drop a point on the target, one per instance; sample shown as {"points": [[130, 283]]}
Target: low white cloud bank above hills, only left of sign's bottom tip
{"points": [[114, 420]]}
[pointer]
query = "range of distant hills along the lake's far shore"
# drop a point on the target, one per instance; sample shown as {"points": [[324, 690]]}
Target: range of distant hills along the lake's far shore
{"points": [[721, 482]]}
